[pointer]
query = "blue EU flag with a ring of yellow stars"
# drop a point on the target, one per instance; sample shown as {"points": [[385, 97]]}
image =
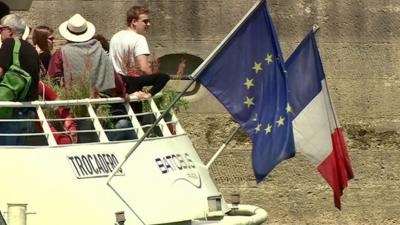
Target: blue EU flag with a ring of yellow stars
{"points": [[247, 76]]}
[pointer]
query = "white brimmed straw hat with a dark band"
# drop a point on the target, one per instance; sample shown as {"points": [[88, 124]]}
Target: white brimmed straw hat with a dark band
{"points": [[77, 29]]}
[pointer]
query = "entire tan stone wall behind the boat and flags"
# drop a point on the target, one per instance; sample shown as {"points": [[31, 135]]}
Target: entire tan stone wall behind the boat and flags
{"points": [[359, 46]]}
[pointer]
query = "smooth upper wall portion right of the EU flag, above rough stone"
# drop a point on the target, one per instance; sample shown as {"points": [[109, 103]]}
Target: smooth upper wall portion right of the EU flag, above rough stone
{"points": [[358, 41]]}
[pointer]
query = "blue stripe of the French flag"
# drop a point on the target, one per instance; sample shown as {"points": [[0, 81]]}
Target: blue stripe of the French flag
{"points": [[305, 74]]}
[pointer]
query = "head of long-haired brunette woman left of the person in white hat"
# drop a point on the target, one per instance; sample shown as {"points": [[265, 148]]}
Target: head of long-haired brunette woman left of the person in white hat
{"points": [[43, 40]]}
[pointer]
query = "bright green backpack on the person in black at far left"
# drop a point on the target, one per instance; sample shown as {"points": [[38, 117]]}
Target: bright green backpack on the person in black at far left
{"points": [[15, 83]]}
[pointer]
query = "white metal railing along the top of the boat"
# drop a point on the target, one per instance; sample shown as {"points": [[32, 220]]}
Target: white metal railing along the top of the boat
{"points": [[93, 127]]}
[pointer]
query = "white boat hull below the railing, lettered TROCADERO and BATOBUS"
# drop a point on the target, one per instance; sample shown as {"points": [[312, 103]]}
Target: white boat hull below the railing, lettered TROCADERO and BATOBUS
{"points": [[149, 190]]}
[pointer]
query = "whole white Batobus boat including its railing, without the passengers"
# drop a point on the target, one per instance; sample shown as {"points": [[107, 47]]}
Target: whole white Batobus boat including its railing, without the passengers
{"points": [[156, 178]]}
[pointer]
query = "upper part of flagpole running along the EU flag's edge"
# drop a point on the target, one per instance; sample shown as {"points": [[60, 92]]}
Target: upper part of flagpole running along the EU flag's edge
{"points": [[205, 63]]}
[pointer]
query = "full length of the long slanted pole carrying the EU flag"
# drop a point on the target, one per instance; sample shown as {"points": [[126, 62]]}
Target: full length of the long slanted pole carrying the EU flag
{"points": [[193, 76]]}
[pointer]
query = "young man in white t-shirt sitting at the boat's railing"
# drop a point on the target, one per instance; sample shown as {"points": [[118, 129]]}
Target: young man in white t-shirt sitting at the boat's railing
{"points": [[129, 53]]}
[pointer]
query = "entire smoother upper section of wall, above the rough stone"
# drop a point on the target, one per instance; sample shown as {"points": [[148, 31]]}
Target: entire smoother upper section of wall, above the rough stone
{"points": [[358, 41]]}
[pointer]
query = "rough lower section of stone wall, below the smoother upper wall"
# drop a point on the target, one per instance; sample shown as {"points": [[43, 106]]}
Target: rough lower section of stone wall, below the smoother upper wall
{"points": [[294, 192]]}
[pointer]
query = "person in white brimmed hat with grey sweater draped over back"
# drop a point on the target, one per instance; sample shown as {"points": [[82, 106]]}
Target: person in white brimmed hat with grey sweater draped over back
{"points": [[81, 56]]}
